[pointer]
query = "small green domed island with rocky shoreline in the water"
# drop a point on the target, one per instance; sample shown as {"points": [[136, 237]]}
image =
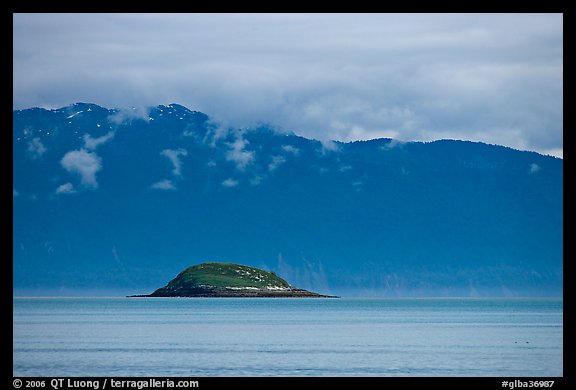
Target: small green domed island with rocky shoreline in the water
{"points": [[226, 280]]}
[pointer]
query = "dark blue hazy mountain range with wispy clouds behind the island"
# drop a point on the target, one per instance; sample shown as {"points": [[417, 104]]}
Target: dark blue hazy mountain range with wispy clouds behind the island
{"points": [[125, 199]]}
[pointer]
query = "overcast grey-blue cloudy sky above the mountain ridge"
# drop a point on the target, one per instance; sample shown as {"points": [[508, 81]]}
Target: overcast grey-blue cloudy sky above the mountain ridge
{"points": [[495, 78]]}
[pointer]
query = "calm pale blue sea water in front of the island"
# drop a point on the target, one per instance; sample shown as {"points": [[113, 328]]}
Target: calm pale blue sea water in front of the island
{"points": [[286, 337]]}
